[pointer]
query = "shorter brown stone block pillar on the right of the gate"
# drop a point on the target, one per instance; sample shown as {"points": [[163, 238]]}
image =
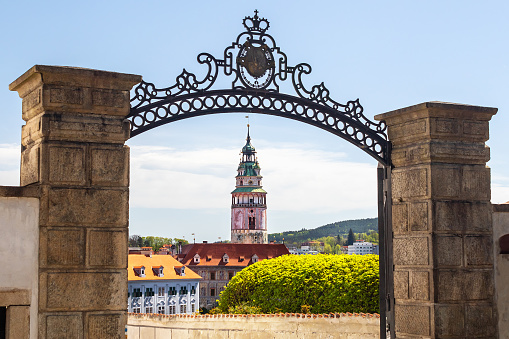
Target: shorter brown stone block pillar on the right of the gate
{"points": [[441, 215]]}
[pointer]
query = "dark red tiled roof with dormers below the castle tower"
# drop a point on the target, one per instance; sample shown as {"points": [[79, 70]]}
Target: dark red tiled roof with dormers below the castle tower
{"points": [[236, 253]]}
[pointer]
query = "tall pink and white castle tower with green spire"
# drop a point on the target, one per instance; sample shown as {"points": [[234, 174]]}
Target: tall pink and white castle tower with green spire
{"points": [[249, 218]]}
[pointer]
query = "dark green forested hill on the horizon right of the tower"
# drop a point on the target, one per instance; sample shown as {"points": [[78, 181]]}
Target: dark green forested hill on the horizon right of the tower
{"points": [[331, 230]]}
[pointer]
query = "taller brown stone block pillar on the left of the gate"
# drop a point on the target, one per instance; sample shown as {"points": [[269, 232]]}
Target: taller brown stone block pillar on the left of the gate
{"points": [[73, 149]]}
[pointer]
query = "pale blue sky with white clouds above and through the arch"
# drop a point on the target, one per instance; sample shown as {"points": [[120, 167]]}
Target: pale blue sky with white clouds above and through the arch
{"points": [[388, 54]]}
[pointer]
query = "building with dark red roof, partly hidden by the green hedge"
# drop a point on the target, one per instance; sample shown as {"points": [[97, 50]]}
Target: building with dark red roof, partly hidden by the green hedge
{"points": [[218, 263]]}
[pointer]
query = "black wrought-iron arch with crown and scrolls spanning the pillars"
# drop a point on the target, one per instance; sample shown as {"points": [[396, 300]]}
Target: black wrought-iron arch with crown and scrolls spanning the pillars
{"points": [[257, 66]]}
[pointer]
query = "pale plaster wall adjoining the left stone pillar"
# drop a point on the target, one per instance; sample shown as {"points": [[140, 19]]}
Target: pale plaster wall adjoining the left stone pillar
{"points": [[19, 249]]}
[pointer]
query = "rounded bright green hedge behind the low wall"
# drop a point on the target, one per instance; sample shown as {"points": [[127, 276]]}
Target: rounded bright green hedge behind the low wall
{"points": [[310, 283]]}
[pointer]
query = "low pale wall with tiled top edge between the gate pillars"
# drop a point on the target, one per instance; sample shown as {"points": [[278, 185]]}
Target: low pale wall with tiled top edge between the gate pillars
{"points": [[284, 325]]}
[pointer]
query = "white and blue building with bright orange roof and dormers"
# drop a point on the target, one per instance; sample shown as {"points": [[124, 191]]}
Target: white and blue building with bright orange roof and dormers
{"points": [[161, 284]]}
